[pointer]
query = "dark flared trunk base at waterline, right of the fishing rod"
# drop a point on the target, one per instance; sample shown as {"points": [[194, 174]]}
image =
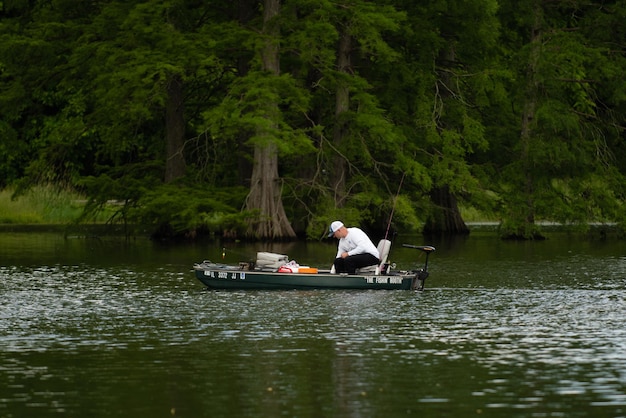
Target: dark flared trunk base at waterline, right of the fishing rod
{"points": [[447, 217]]}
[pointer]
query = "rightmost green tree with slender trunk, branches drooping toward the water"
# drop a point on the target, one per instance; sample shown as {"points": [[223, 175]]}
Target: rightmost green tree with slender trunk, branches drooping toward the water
{"points": [[562, 151]]}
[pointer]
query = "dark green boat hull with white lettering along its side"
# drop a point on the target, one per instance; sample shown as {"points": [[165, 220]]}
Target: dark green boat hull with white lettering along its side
{"points": [[224, 278]]}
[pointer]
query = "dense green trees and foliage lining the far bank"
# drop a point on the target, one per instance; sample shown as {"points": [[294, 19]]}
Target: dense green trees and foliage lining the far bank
{"points": [[267, 118]]}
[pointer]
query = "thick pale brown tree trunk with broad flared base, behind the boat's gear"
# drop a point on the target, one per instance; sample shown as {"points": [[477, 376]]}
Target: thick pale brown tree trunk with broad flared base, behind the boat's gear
{"points": [[265, 192]]}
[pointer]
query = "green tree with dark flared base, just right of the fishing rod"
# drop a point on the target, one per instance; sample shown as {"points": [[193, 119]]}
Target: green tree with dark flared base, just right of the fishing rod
{"points": [[436, 95]]}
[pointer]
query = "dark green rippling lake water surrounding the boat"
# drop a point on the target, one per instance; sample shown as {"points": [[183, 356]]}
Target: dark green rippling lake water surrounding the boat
{"points": [[106, 328]]}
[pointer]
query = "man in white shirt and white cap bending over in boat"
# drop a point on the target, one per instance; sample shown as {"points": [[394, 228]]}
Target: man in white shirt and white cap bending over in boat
{"points": [[355, 249]]}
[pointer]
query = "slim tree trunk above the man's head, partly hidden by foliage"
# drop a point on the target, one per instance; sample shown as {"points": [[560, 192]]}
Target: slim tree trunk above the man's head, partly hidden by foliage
{"points": [[342, 105]]}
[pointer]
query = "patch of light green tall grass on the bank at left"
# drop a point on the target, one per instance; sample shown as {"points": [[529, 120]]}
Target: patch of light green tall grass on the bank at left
{"points": [[41, 205]]}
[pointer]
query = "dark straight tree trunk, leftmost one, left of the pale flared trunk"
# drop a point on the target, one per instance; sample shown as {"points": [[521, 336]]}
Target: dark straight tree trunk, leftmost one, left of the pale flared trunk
{"points": [[175, 130]]}
